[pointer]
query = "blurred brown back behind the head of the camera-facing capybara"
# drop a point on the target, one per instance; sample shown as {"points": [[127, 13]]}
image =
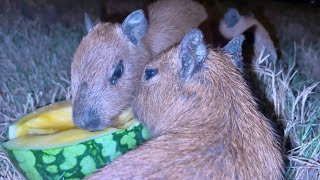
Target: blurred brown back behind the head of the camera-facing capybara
{"points": [[170, 20]]}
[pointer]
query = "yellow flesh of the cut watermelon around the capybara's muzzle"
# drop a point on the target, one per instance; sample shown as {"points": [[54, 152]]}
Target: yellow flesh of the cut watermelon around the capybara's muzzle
{"points": [[52, 119]]}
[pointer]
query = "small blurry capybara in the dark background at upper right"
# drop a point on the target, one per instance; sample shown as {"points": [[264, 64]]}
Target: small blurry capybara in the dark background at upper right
{"points": [[233, 24]]}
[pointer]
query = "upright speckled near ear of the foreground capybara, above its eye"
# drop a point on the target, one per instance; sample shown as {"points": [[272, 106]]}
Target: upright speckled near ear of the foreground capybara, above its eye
{"points": [[193, 53]]}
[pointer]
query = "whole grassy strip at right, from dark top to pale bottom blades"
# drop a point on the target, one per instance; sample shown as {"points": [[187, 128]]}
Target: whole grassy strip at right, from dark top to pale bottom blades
{"points": [[293, 84]]}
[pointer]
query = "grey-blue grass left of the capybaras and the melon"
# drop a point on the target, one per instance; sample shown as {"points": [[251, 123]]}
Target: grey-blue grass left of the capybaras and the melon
{"points": [[35, 70]]}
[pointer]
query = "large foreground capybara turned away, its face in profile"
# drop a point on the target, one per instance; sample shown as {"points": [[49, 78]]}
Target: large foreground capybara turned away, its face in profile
{"points": [[202, 118]]}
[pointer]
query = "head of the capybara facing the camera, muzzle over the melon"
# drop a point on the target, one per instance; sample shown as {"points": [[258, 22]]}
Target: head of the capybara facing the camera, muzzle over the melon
{"points": [[106, 69]]}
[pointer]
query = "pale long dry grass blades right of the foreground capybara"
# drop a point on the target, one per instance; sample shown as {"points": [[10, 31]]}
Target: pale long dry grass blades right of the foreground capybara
{"points": [[297, 106]]}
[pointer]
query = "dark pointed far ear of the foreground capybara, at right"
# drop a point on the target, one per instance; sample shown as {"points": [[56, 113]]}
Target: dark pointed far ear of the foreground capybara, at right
{"points": [[234, 48]]}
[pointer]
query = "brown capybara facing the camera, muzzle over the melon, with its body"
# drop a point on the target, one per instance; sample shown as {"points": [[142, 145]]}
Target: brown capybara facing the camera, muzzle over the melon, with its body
{"points": [[109, 61]]}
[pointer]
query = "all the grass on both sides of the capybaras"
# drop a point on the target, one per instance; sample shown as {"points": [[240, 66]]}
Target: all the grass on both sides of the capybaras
{"points": [[35, 60]]}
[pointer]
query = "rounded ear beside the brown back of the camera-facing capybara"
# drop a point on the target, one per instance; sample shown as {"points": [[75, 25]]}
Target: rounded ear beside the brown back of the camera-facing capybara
{"points": [[135, 26]]}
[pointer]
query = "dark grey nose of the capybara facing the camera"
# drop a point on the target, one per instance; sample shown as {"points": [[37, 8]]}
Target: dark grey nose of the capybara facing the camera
{"points": [[87, 119]]}
